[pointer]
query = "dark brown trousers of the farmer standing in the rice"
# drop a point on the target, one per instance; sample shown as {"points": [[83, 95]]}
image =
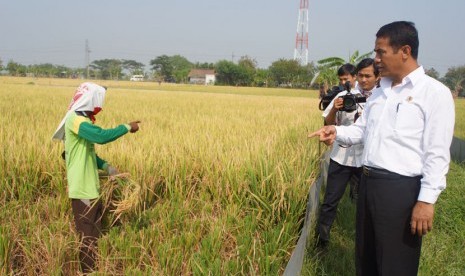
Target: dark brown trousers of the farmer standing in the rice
{"points": [[88, 220]]}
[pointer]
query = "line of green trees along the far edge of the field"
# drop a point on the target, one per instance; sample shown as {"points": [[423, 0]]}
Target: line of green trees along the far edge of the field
{"points": [[244, 72]]}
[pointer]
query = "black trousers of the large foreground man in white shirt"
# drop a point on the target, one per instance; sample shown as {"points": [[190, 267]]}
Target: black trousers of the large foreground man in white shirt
{"points": [[384, 243]]}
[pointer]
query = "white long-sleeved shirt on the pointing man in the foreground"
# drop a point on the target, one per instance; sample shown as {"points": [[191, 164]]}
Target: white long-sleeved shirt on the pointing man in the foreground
{"points": [[407, 129]]}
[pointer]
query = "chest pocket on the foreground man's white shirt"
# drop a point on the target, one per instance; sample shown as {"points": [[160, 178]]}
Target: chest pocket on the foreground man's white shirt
{"points": [[409, 119]]}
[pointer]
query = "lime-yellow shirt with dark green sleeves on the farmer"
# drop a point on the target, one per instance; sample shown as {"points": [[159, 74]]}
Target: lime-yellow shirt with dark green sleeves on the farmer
{"points": [[81, 160]]}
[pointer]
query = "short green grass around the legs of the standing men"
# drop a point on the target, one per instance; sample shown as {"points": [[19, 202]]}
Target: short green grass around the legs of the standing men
{"points": [[442, 249]]}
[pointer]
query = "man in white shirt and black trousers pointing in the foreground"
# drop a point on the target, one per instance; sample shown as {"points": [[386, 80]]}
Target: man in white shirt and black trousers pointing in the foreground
{"points": [[407, 128]]}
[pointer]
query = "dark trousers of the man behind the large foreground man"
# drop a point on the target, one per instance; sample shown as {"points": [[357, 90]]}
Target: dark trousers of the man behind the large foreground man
{"points": [[338, 177]]}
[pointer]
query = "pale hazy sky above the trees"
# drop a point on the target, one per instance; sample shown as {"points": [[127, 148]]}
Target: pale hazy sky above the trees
{"points": [[55, 31]]}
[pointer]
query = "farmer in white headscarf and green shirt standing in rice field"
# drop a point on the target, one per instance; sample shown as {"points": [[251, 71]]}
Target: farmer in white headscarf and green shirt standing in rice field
{"points": [[79, 133]]}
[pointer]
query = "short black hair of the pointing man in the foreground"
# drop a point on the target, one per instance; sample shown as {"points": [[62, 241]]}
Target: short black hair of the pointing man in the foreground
{"points": [[401, 33]]}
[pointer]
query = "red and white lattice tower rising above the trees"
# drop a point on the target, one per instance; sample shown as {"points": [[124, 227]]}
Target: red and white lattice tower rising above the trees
{"points": [[301, 39]]}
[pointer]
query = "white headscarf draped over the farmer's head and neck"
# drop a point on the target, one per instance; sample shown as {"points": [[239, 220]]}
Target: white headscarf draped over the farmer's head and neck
{"points": [[88, 97]]}
